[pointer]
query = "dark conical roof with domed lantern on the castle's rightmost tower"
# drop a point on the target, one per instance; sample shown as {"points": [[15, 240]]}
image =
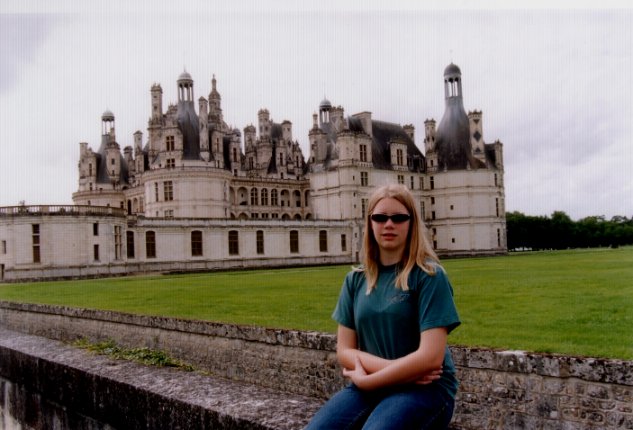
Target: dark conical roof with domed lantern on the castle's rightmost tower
{"points": [[453, 133]]}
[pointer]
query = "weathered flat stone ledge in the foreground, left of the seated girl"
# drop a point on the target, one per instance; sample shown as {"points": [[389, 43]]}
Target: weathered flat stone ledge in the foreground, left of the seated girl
{"points": [[128, 395]]}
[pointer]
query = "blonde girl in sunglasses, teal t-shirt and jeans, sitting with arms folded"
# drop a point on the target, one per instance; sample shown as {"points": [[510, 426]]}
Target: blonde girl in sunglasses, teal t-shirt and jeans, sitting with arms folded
{"points": [[394, 313]]}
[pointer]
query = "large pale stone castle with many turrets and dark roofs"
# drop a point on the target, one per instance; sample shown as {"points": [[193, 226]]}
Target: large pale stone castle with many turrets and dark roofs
{"points": [[197, 194]]}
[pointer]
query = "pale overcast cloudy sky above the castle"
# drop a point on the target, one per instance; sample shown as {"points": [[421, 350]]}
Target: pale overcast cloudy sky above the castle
{"points": [[554, 83]]}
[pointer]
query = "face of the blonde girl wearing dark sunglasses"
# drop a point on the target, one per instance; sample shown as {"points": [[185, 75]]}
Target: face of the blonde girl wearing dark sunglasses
{"points": [[391, 236]]}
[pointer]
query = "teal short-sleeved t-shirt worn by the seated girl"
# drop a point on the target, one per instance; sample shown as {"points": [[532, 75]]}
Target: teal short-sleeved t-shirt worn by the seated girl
{"points": [[388, 322]]}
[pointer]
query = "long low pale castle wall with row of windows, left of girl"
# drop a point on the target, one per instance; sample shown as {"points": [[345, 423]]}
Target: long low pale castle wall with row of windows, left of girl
{"points": [[86, 242]]}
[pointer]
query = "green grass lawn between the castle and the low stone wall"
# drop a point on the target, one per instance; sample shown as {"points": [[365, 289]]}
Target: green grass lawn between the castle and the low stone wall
{"points": [[576, 302]]}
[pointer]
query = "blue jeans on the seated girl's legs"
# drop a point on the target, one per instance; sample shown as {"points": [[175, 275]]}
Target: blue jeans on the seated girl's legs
{"points": [[406, 407]]}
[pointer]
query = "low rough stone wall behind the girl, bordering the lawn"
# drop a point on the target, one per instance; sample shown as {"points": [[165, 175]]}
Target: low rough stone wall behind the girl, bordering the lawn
{"points": [[499, 389]]}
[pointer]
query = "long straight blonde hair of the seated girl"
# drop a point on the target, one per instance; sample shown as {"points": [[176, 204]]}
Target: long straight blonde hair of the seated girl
{"points": [[418, 250]]}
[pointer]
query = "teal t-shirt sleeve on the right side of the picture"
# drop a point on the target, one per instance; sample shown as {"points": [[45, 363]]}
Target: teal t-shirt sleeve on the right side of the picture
{"points": [[436, 307]]}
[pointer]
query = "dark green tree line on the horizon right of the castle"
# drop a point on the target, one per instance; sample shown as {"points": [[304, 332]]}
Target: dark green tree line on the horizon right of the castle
{"points": [[560, 232]]}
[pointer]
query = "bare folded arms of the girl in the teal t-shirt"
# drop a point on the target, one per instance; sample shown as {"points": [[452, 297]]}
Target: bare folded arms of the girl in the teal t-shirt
{"points": [[369, 372]]}
